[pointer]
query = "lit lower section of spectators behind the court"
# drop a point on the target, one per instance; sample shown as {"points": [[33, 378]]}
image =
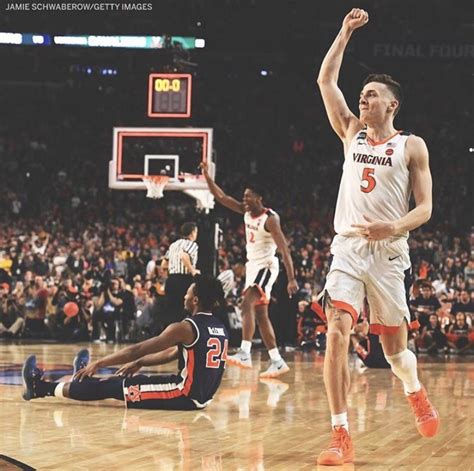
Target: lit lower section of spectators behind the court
{"points": [[107, 260]]}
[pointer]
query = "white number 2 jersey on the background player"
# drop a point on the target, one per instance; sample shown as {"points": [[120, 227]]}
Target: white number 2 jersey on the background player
{"points": [[261, 247]]}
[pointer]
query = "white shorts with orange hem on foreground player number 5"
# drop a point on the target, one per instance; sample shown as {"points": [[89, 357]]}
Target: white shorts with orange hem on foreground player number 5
{"points": [[377, 270]]}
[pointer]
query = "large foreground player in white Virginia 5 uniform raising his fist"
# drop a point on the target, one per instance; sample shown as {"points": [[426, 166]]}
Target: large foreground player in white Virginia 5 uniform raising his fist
{"points": [[382, 167]]}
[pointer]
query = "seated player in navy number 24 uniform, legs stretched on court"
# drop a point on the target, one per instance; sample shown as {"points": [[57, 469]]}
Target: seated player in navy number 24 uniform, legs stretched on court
{"points": [[199, 343]]}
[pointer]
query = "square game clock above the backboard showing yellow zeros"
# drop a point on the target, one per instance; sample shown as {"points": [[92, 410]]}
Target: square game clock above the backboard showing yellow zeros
{"points": [[169, 95]]}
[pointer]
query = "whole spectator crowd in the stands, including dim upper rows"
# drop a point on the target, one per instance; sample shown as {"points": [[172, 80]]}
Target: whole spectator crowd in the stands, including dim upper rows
{"points": [[65, 237]]}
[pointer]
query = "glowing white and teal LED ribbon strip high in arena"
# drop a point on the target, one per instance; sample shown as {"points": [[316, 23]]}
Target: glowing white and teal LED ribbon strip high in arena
{"points": [[105, 41]]}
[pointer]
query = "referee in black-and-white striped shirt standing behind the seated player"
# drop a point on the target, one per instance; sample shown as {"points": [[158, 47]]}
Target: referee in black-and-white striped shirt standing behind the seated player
{"points": [[180, 260]]}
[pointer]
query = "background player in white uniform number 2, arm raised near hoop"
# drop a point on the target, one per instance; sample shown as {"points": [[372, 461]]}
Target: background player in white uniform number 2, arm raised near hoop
{"points": [[264, 236]]}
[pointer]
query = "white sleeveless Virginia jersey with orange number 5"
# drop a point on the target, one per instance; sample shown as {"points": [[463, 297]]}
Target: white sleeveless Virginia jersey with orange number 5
{"points": [[375, 182]]}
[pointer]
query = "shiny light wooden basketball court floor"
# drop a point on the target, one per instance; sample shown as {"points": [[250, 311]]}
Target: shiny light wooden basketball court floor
{"points": [[251, 425]]}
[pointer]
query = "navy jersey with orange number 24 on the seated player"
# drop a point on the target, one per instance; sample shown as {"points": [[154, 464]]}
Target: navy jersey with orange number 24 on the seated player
{"points": [[201, 364]]}
